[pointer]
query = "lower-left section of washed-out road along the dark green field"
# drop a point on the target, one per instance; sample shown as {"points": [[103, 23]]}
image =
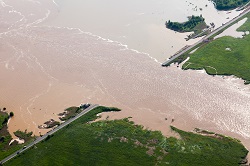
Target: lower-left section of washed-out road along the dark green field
{"points": [[39, 139]]}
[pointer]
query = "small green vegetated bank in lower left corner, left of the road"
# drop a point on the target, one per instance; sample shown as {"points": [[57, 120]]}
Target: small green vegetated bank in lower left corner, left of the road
{"points": [[5, 137]]}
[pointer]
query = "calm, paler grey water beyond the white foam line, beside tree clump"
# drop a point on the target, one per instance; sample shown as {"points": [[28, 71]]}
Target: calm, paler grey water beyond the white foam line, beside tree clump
{"points": [[138, 24]]}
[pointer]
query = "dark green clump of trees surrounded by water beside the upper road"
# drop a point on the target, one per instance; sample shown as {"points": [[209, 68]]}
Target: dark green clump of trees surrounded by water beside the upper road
{"points": [[194, 23]]}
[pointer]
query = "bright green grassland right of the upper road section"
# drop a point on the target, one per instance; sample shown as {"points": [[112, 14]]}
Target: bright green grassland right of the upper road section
{"points": [[224, 56]]}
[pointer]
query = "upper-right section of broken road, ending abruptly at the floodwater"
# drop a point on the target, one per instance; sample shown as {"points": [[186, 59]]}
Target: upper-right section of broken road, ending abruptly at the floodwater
{"points": [[206, 37]]}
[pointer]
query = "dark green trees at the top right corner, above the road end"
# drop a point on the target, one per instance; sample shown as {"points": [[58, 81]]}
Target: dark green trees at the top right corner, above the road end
{"points": [[228, 4]]}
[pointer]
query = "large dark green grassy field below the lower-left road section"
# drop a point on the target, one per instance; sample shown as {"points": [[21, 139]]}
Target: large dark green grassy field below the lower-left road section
{"points": [[121, 142]]}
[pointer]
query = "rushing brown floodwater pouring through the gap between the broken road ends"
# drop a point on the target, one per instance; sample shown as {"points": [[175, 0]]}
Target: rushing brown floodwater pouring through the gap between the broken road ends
{"points": [[46, 69]]}
